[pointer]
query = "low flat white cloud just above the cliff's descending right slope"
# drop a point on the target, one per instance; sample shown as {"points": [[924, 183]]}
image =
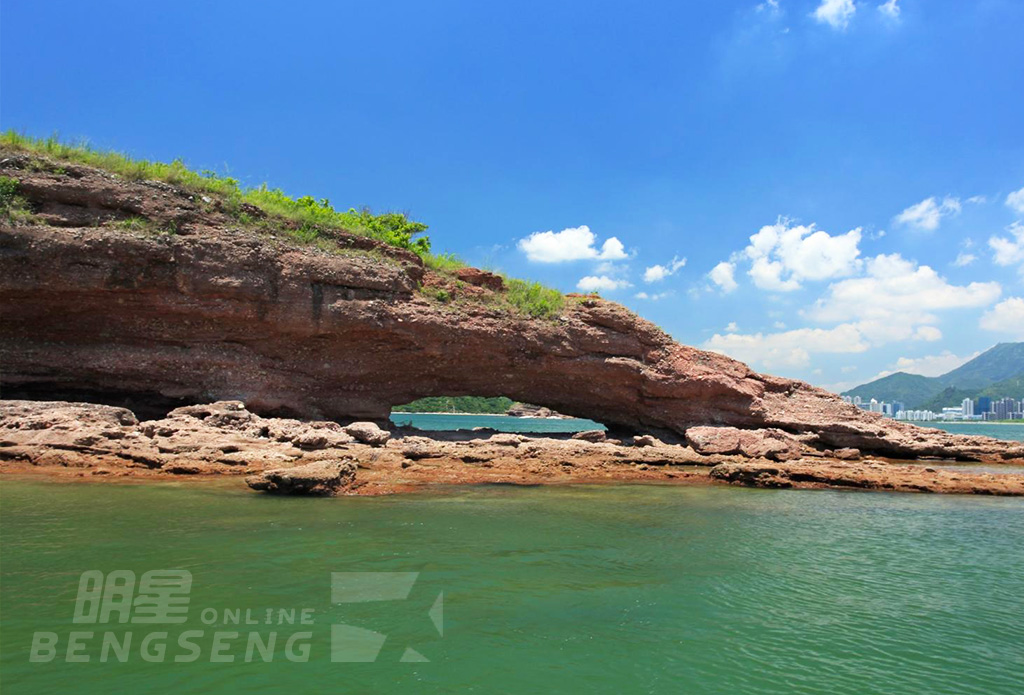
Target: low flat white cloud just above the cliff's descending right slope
{"points": [[788, 350]]}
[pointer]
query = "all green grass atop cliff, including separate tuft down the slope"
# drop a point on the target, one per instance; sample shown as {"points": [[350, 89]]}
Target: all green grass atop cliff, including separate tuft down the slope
{"points": [[312, 219]]}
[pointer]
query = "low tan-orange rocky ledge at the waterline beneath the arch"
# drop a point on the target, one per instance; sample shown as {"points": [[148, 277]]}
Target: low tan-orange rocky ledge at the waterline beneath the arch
{"points": [[283, 456]]}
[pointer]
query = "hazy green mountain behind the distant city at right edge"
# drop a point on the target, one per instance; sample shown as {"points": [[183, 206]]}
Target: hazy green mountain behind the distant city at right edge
{"points": [[997, 373]]}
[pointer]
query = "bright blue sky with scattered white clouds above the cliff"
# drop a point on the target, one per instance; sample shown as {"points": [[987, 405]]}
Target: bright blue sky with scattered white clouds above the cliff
{"points": [[873, 150]]}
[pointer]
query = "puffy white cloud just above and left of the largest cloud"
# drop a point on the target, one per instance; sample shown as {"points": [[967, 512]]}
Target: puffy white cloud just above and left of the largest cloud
{"points": [[783, 257]]}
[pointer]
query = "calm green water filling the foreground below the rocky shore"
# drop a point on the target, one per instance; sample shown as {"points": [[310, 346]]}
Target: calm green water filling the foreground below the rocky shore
{"points": [[560, 590]]}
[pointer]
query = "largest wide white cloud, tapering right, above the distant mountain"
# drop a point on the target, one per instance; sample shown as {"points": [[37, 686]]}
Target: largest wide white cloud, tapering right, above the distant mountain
{"points": [[897, 295]]}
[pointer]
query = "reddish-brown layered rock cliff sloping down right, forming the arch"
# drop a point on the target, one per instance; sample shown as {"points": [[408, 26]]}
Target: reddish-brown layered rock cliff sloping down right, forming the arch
{"points": [[211, 313]]}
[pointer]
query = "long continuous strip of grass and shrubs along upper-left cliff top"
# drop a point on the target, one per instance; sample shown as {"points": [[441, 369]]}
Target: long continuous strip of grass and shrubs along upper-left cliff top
{"points": [[312, 218]]}
